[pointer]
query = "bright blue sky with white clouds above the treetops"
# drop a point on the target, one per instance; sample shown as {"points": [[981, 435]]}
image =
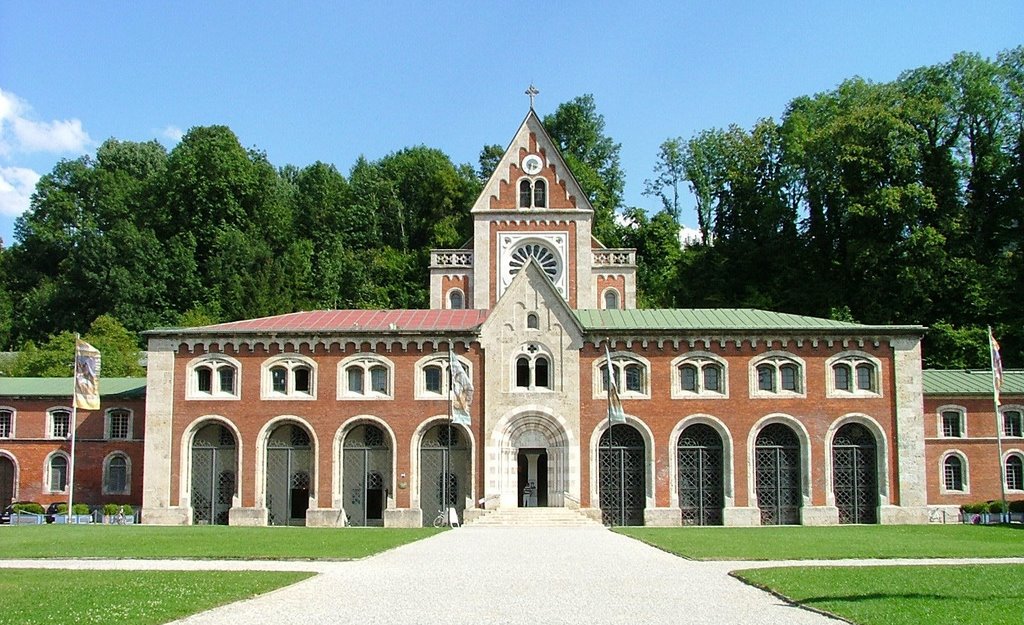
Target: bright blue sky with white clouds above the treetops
{"points": [[308, 81]]}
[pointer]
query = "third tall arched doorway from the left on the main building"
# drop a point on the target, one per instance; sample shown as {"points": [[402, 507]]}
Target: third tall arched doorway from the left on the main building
{"points": [[367, 482]]}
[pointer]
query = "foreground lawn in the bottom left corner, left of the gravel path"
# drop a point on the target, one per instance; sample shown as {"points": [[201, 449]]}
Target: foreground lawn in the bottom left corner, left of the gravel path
{"points": [[140, 598]]}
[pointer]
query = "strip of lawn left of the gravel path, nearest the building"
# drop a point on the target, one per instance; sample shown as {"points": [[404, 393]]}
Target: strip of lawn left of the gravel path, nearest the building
{"points": [[219, 543]]}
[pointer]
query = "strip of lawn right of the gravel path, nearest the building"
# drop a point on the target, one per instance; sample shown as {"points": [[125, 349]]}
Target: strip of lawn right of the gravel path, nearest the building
{"points": [[835, 543]]}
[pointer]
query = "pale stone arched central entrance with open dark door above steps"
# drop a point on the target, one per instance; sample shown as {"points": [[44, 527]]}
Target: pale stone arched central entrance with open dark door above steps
{"points": [[535, 463]]}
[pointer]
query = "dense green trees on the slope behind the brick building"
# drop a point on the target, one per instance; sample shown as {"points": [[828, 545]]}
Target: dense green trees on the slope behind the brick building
{"points": [[882, 203]]}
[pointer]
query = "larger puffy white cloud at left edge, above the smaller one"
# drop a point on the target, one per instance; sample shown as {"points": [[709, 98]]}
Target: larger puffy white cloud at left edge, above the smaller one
{"points": [[21, 134]]}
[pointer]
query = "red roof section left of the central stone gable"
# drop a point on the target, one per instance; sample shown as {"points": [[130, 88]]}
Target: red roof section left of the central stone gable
{"points": [[358, 321]]}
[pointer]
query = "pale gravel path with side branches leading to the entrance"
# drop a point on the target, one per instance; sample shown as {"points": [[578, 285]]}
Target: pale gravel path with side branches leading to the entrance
{"points": [[517, 576]]}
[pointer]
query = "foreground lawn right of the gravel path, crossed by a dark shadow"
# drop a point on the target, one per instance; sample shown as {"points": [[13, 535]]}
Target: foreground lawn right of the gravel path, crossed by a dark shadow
{"points": [[904, 596]]}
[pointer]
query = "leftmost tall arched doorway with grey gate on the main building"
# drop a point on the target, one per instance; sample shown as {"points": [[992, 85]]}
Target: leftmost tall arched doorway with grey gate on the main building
{"points": [[215, 467]]}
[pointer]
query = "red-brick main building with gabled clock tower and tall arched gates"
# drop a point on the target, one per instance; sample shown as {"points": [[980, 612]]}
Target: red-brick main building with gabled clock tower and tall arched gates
{"points": [[734, 418]]}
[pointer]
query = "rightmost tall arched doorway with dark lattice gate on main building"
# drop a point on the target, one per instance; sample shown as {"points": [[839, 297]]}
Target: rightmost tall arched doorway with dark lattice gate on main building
{"points": [[856, 475]]}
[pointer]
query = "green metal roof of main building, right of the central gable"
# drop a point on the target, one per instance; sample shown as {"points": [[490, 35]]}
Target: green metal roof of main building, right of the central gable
{"points": [[703, 320]]}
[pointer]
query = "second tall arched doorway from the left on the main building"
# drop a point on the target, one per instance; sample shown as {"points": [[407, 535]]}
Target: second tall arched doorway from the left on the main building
{"points": [[289, 468]]}
